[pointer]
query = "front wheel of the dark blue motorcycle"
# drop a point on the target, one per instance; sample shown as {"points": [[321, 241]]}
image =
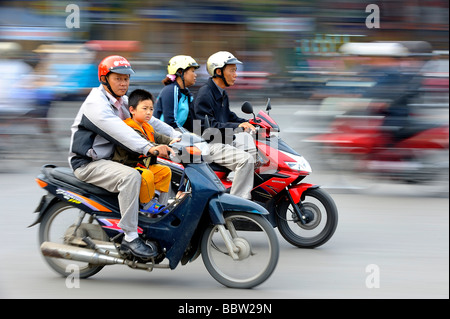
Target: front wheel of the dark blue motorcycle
{"points": [[257, 251]]}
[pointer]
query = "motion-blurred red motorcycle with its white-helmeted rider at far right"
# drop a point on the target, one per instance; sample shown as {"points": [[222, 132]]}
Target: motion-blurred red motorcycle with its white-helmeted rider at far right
{"points": [[388, 136]]}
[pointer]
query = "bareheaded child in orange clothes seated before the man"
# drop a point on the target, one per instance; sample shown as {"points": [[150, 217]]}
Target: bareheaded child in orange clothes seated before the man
{"points": [[155, 177]]}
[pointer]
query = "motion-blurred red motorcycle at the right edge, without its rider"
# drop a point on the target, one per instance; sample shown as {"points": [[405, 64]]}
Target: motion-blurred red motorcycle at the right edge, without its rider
{"points": [[416, 153]]}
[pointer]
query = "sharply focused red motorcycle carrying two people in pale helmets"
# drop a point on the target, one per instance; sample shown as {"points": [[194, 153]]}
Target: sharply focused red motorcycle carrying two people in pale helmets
{"points": [[304, 213]]}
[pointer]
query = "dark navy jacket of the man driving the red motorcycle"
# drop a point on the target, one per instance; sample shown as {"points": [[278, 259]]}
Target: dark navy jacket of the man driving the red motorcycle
{"points": [[209, 101]]}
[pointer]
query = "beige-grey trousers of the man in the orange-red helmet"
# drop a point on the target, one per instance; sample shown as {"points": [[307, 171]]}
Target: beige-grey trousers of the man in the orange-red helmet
{"points": [[116, 178]]}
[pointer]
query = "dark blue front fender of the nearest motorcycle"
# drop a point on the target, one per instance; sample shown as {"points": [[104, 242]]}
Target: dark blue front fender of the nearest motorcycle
{"points": [[228, 203]]}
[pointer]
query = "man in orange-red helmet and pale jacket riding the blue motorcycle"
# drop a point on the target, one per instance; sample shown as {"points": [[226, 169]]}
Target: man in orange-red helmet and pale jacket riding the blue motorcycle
{"points": [[97, 128]]}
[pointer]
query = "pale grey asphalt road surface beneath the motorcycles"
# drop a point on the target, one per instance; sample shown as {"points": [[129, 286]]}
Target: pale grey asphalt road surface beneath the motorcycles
{"points": [[385, 246]]}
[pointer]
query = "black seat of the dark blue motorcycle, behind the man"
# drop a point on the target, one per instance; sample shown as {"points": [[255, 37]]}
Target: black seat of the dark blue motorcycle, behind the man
{"points": [[65, 174]]}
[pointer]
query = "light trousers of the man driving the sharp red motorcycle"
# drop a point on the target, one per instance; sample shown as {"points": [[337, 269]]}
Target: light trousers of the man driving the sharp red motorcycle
{"points": [[237, 160]]}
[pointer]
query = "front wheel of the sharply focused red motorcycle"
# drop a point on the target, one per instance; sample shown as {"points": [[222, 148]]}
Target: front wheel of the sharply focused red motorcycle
{"points": [[318, 206]]}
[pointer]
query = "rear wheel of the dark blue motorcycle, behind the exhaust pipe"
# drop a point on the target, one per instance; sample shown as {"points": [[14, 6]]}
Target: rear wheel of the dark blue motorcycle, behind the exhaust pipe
{"points": [[57, 224]]}
